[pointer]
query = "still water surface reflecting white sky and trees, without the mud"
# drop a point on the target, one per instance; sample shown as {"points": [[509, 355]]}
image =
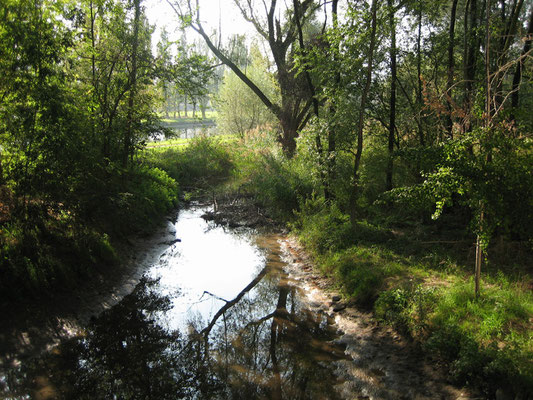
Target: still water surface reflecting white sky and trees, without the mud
{"points": [[161, 342]]}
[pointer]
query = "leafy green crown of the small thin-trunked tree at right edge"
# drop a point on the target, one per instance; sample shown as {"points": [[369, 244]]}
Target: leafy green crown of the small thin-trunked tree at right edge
{"points": [[488, 169]]}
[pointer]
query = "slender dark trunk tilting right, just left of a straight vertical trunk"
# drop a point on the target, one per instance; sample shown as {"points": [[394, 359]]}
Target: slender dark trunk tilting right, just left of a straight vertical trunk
{"points": [[360, 126]]}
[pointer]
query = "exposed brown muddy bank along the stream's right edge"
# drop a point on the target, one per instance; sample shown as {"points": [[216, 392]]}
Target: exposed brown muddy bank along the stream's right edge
{"points": [[383, 364]]}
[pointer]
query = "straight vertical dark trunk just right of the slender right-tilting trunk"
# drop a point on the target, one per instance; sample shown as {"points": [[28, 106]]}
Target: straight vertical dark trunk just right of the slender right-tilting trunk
{"points": [[392, 112]]}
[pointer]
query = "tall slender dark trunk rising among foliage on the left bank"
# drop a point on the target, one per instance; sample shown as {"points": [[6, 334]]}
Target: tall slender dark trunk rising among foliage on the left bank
{"points": [[128, 139]]}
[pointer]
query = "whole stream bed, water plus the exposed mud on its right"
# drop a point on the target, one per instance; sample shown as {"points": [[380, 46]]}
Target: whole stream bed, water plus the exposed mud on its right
{"points": [[221, 314]]}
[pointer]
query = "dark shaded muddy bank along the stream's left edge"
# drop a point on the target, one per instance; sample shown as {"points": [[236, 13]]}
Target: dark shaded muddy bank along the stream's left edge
{"points": [[31, 327]]}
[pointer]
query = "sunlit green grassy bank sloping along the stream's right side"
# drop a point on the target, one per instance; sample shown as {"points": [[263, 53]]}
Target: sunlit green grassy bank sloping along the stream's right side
{"points": [[427, 292]]}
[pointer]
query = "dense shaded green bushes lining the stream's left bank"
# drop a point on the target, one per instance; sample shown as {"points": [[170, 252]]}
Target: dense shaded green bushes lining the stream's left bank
{"points": [[54, 247]]}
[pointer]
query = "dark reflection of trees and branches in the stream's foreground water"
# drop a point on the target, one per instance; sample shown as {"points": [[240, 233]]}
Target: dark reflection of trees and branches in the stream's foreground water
{"points": [[261, 345]]}
